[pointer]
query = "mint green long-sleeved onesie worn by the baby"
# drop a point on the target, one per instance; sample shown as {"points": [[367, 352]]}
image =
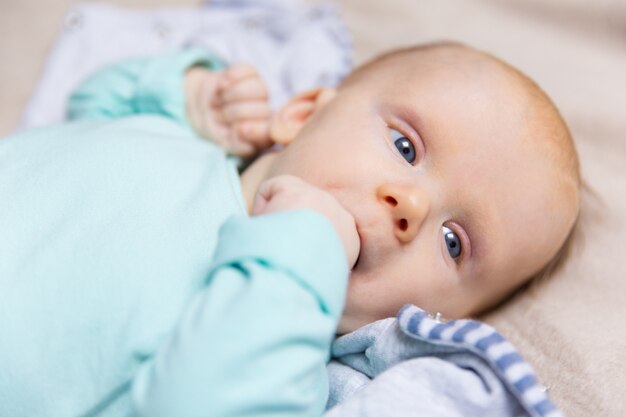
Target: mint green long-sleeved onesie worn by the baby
{"points": [[132, 282]]}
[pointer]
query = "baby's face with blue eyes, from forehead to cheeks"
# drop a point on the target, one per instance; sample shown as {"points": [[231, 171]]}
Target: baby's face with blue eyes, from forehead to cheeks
{"points": [[454, 204]]}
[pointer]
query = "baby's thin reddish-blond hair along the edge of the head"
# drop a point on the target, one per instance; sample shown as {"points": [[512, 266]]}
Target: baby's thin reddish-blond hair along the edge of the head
{"points": [[555, 138]]}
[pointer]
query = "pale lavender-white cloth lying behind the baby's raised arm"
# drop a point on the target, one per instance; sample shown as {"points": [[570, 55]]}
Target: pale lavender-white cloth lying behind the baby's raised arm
{"points": [[293, 46]]}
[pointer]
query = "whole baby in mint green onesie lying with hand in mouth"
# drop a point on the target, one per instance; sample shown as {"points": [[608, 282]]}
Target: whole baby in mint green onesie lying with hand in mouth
{"points": [[437, 176]]}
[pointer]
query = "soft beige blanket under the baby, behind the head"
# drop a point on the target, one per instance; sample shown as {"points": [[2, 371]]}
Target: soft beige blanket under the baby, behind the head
{"points": [[572, 328]]}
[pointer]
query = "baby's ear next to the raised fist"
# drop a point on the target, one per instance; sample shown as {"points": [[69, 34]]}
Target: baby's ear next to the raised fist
{"points": [[289, 120]]}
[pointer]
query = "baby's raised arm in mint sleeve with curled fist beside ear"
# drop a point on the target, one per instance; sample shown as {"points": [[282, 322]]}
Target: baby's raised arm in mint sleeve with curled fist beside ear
{"points": [[228, 106]]}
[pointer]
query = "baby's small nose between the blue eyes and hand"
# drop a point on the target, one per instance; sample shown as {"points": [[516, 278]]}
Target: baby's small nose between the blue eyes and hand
{"points": [[408, 206]]}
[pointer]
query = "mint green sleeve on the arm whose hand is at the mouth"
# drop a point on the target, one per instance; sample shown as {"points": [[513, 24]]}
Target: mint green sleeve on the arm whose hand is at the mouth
{"points": [[255, 339]]}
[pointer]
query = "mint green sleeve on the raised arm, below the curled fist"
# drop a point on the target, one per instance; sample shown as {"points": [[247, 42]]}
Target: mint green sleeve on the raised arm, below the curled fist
{"points": [[152, 85]]}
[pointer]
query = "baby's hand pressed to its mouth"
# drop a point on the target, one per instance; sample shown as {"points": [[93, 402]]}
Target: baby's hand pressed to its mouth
{"points": [[287, 192]]}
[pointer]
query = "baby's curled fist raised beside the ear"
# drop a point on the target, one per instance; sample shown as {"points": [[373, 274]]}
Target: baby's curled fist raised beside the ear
{"points": [[230, 107]]}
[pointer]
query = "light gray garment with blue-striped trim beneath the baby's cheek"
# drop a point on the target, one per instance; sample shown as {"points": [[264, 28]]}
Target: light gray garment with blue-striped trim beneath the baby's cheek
{"points": [[416, 365]]}
